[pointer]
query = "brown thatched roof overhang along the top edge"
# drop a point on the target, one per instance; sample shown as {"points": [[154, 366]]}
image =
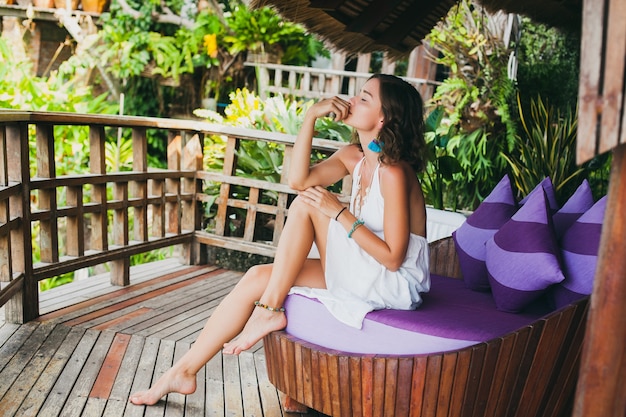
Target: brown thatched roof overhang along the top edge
{"points": [[398, 26]]}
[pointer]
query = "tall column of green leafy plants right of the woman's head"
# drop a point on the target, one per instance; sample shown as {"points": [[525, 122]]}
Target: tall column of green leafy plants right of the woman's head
{"points": [[475, 97]]}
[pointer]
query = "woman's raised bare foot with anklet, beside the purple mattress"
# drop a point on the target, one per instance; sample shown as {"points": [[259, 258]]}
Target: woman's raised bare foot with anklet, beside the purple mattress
{"points": [[260, 323]]}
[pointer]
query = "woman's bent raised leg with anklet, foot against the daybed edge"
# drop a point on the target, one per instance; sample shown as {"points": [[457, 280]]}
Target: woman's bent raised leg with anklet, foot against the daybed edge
{"points": [[305, 224]]}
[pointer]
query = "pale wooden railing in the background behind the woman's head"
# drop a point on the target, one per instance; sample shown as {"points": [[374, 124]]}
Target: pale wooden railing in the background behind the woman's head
{"points": [[315, 83]]}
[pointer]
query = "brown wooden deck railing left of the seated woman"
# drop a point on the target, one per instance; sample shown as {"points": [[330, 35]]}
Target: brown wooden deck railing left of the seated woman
{"points": [[98, 216]]}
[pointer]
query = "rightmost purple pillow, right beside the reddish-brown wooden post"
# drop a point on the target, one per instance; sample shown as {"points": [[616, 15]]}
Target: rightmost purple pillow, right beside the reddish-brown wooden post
{"points": [[579, 247]]}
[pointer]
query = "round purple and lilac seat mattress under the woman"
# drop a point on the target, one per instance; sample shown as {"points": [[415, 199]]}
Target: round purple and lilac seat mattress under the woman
{"points": [[451, 317]]}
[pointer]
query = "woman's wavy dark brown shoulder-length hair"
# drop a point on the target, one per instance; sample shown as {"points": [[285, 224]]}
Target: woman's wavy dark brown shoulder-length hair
{"points": [[402, 134]]}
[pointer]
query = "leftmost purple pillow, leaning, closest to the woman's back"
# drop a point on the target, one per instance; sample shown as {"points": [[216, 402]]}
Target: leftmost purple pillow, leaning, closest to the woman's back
{"points": [[470, 237]]}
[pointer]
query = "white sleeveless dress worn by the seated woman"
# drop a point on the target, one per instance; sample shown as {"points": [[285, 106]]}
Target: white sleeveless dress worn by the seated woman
{"points": [[357, 283]]}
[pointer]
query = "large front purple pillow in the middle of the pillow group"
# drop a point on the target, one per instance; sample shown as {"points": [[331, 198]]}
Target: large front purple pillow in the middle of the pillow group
{"points": [[523, 256]]}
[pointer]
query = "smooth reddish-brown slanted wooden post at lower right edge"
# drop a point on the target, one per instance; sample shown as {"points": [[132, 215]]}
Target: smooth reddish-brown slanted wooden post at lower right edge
{"points": [[601, 390]]}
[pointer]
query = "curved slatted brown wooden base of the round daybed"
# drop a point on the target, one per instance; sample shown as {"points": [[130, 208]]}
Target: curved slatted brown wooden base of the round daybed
{"points": [[526, 373]]}
